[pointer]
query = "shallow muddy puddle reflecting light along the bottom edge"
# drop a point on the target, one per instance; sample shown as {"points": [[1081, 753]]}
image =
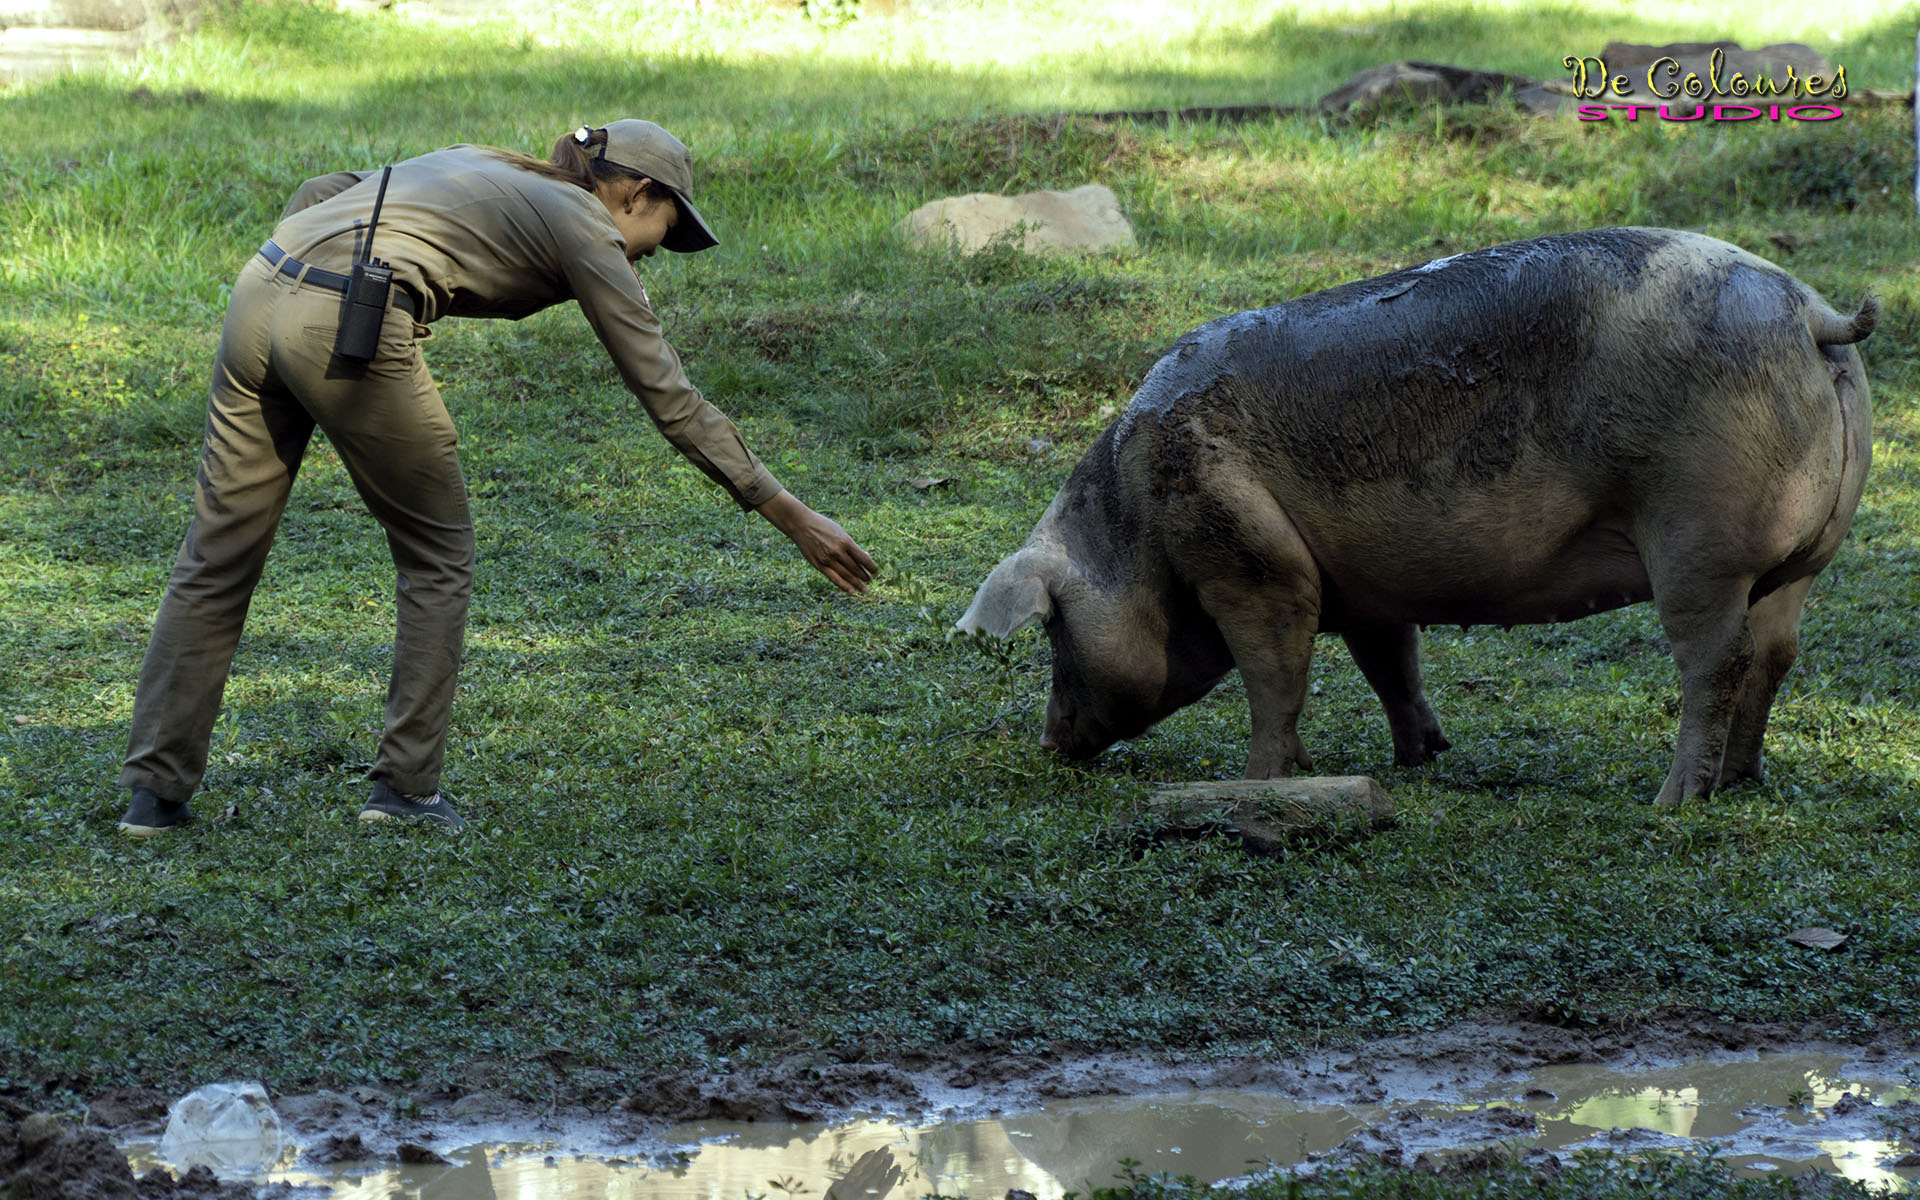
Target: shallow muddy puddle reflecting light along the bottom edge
{"points": [[1771, 1113]]}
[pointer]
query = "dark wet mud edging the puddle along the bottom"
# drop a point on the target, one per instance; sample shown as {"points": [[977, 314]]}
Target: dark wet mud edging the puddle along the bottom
{"points": [[74, 1155]]}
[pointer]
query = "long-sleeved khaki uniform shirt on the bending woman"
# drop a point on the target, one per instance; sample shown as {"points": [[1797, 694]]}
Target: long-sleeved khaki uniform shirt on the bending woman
{"points": [[477, 237]]}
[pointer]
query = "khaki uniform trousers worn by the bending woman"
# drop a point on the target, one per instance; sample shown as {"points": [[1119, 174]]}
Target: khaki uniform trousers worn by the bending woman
{"points": [[276, 377]]}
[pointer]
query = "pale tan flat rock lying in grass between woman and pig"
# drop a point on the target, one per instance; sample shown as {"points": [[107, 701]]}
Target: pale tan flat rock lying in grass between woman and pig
{"points": [[1080, 222]]}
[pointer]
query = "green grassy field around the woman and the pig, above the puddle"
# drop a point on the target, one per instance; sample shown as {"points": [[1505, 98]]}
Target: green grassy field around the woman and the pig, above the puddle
{"points": [[723, 815]]}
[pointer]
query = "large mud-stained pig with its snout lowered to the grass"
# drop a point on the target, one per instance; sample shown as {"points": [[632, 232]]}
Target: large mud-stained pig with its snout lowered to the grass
{"points": [[1522, 435]]}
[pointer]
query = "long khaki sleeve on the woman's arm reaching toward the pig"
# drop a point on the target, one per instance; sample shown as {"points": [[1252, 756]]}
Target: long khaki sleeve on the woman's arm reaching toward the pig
{"points": [[615, 306]]}
